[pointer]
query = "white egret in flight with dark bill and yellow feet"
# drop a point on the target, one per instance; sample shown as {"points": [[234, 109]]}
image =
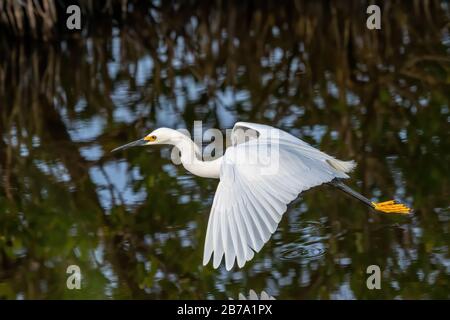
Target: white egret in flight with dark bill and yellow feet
{"points": [[249, 202]]}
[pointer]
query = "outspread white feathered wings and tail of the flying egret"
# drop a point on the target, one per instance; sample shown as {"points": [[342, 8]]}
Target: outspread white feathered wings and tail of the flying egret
{"points": [[259, 178]]}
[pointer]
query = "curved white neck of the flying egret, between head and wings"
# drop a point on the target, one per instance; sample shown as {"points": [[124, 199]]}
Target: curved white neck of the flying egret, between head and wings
{"points": [[192, 162]]}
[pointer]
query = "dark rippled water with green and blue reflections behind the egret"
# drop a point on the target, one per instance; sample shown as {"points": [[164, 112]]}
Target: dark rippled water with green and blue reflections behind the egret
{"points": [[135, 223]]}
